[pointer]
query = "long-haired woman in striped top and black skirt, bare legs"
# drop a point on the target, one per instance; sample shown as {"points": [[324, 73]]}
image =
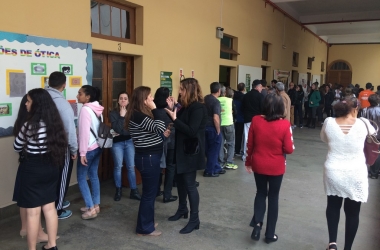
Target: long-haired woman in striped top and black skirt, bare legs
{"points": [[43, 140]]}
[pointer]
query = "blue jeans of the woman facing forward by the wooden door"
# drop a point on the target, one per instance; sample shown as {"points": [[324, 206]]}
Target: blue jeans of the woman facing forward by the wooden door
{"points": [[124, 150]]}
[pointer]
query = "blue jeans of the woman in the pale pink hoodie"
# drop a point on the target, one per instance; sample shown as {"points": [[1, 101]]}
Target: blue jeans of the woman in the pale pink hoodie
{"points": [[90, 198]]}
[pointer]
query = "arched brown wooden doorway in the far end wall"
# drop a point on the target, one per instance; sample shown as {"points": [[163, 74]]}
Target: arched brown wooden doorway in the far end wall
{"points": [[340, 72]]}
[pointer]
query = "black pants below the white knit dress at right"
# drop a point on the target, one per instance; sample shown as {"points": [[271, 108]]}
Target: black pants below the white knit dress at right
{"points": [[351, 209]]}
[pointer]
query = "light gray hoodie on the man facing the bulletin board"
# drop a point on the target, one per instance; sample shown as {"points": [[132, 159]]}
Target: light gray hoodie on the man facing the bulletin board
{"points": [[67, 116]]}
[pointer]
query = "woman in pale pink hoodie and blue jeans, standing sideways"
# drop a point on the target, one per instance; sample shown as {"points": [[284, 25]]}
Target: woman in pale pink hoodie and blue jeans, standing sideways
{"points": [[89, 151]]}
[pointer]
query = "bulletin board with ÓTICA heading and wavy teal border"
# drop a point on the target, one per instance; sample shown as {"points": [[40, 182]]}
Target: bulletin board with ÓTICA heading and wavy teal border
{"points": [[26, 63]]}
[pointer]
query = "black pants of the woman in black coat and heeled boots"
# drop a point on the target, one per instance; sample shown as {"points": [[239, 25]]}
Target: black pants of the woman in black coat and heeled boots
{"points": [[186, 188]]}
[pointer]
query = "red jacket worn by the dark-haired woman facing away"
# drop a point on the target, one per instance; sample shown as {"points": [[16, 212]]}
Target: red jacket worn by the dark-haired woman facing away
{"points": [[267, 144]]}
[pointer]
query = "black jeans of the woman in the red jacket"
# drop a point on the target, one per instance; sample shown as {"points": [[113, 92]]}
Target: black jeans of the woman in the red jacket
{"points": [[259, 209]]}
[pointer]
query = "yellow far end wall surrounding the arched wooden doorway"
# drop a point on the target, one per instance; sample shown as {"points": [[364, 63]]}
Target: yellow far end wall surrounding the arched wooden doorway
{"points": [[364, 60]]}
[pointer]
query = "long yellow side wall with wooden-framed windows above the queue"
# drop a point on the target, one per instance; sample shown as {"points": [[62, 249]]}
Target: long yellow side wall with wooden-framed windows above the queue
{"points": [[171, 34]]}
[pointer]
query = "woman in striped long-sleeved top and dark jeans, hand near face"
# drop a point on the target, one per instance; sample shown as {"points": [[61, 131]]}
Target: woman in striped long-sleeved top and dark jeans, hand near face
{"points": [[147, 133]]}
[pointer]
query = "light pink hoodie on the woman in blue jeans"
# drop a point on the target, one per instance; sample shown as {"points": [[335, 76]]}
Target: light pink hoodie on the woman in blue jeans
{"points": [[84, 125]]}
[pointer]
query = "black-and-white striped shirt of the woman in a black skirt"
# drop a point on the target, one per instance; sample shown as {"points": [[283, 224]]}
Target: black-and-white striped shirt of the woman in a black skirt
{"points": [[32, 146]]}
